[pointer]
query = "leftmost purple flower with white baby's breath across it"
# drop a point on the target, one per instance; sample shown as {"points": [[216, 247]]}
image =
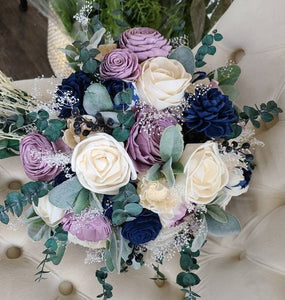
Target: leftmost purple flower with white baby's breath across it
{"points": [[38, 156]]}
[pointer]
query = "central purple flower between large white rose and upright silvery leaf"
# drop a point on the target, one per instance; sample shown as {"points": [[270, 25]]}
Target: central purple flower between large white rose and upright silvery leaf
{"points": [[143, 142]]}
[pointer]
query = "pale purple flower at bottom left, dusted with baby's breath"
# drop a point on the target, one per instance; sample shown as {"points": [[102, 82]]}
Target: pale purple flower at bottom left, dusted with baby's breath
{"points": [[87, 226]]}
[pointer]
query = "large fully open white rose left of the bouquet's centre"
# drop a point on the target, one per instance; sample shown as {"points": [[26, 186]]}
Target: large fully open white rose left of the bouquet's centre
{"points": [[102, 165]]}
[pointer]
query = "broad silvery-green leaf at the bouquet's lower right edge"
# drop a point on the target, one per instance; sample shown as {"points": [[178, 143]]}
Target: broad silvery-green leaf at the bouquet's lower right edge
{"points": [[232, 227]]}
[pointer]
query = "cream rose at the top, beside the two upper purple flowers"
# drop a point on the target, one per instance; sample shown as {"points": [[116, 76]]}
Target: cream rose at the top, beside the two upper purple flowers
{"points": [[162, 82]]}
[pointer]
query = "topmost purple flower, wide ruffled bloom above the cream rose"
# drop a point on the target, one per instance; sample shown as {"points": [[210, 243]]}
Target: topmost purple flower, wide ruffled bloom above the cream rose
{"points": [[145, 42]]}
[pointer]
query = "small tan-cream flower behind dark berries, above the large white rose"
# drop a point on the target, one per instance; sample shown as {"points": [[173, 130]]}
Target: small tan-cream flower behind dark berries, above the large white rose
{"points": [[70, 138]]}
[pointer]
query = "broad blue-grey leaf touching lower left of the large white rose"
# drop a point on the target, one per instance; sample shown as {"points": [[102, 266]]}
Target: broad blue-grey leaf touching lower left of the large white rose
{"points": [[64, 195]]}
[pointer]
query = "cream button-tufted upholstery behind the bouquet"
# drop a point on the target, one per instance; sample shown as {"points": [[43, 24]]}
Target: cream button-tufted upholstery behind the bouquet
{"points": [[249, 266]]}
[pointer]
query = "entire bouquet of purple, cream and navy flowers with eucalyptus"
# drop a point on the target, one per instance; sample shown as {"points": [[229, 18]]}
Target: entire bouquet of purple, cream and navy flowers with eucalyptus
{"points": [[137, 155]]}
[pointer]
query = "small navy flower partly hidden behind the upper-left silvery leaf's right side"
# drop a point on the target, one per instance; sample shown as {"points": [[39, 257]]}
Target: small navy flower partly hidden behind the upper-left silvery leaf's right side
{"points": [[115, 86]]}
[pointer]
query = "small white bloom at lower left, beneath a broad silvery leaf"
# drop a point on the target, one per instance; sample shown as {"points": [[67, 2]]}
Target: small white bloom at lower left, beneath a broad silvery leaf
{"points": [[50, 214]]}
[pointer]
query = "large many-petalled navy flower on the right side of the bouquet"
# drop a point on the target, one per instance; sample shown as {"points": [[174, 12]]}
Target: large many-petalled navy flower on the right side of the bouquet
{"points": [[210, 112]]}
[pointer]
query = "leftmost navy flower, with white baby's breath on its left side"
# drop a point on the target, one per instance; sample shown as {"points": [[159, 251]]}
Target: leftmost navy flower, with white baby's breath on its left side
{"points": [[74, 86]]}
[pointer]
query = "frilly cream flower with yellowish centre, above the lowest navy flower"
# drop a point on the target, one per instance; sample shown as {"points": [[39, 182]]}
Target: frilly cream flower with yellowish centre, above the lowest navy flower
{"points": [[158, 197]]}
